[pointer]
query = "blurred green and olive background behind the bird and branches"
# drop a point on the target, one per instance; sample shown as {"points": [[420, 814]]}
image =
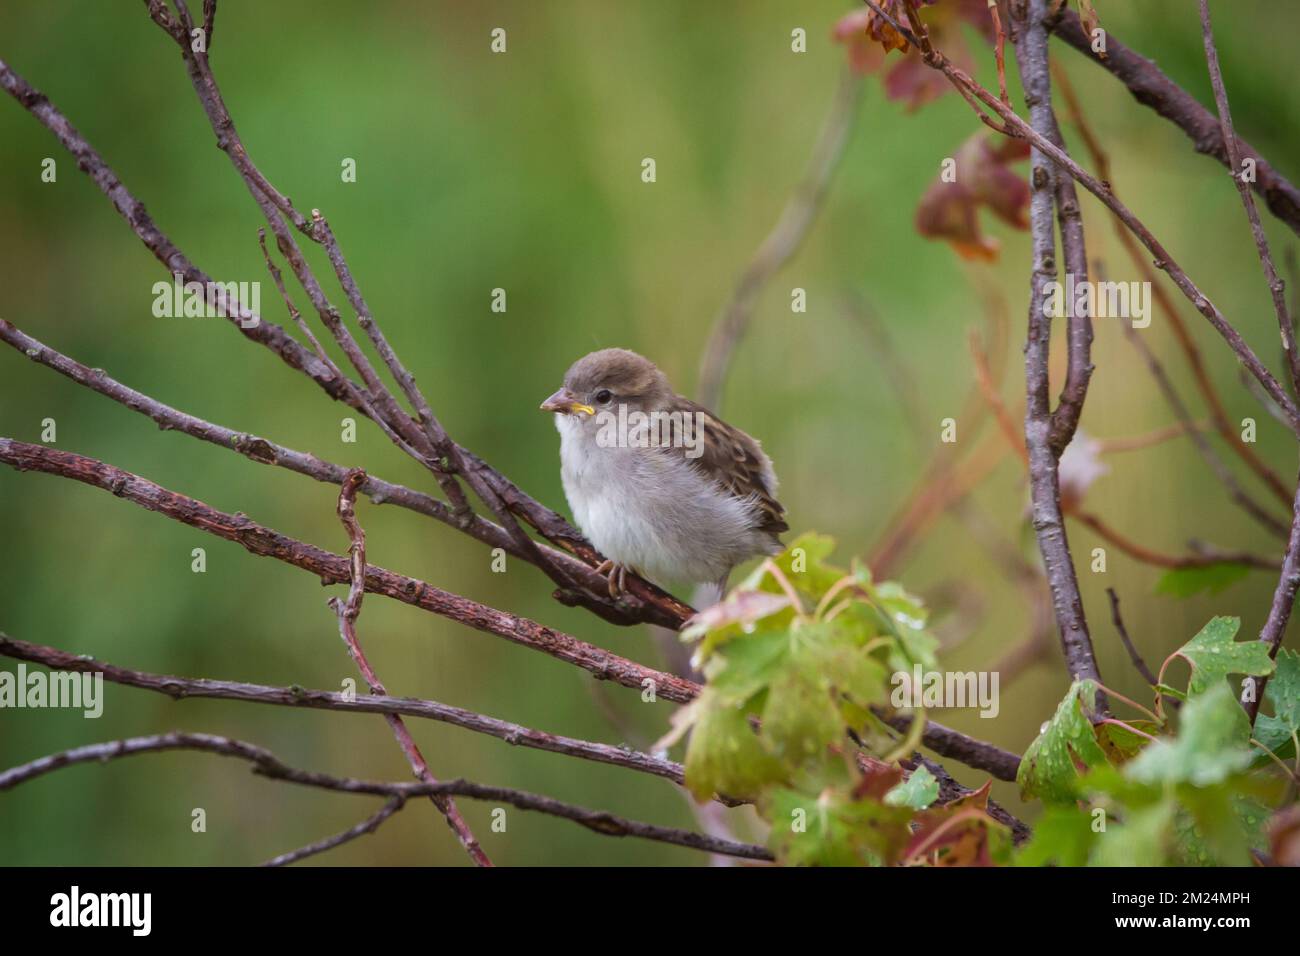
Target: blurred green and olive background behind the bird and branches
{"points": [[523, 171]]}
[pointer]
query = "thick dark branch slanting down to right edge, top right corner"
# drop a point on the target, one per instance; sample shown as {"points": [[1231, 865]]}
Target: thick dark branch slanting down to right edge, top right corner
{"points": [[1151, 88]]}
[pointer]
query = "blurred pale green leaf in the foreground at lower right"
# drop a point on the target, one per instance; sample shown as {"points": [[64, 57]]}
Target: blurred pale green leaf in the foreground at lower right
{"points": [[1212, 745]]}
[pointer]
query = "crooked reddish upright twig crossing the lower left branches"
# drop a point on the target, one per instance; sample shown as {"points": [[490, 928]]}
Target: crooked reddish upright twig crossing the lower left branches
{"points": [[348, 613]]}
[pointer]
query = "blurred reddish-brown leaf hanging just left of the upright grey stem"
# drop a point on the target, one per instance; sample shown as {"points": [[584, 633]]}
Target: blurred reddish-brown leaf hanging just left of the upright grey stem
{"points": [[983, 179]]}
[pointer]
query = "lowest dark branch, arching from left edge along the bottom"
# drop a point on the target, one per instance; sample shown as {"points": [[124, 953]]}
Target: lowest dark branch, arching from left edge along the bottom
{"points": [[266, 764]]}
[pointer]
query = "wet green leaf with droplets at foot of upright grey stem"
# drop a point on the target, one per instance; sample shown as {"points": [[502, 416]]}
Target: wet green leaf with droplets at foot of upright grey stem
{"points": [[1067, 747]]}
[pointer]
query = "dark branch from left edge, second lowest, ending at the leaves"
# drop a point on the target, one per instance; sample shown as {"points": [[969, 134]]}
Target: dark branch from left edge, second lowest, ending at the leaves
{"points": [[185, 689]]}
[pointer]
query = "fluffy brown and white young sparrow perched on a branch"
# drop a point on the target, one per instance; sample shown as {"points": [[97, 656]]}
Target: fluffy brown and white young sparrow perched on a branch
{"points": [[658, 483]]}
